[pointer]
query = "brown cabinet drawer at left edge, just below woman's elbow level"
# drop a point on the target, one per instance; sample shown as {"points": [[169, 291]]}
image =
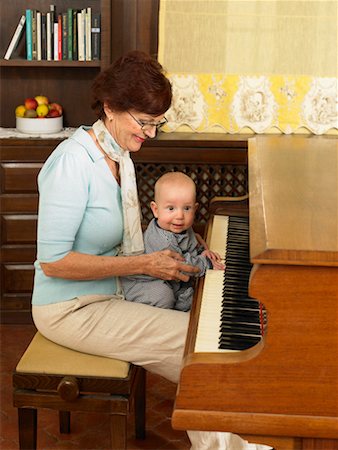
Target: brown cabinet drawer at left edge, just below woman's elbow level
{"points": [[17, 278]]}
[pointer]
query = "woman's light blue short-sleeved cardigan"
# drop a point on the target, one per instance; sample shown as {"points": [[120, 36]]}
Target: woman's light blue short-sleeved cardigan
{"points": [[79, 209]]}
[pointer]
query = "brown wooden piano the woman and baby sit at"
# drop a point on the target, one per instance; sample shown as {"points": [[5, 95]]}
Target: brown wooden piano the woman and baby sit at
{"points": [[281, 386]]}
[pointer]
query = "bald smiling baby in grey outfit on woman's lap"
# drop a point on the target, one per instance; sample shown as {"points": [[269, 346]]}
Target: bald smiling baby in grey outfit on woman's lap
{"points": [[174, 209]]}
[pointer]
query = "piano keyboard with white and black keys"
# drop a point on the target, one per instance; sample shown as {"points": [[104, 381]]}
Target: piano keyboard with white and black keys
{"points": [[229, 319]]}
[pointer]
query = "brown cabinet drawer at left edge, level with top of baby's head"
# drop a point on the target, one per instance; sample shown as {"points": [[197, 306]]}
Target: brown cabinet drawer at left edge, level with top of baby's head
{"points": [[19, 177]]}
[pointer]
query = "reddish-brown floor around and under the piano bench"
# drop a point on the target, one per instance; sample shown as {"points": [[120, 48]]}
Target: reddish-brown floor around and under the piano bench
{"points": [[89, 431]]}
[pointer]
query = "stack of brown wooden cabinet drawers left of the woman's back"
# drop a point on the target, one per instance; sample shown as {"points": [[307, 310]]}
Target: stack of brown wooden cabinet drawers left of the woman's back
{"points": [[21, 160]]}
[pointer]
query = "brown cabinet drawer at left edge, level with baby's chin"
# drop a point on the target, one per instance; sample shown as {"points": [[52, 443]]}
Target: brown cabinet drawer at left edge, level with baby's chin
{"points": [[18, 228]]}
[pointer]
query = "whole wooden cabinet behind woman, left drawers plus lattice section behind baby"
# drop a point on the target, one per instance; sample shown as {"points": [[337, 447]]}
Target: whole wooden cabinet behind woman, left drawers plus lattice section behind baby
{"points": [[217, 163]]}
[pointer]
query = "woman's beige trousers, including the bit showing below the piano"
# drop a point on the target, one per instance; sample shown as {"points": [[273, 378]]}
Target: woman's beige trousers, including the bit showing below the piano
{"points": [[144, 335]]}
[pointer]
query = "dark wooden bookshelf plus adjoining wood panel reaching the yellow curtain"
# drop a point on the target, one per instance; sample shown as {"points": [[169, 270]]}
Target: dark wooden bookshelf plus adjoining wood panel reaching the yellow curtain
{"points": [[125, 25]]}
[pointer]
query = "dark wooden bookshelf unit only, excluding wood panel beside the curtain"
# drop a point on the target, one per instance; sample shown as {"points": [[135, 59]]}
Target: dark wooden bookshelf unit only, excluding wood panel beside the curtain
{"points": [[65, 82]]}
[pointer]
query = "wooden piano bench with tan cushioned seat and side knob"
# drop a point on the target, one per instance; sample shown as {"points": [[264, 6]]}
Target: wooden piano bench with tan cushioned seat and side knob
{"points": [[54, 377]]}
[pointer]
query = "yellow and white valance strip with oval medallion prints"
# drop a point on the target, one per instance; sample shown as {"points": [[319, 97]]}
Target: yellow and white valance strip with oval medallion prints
{"points": [[215, 102]]}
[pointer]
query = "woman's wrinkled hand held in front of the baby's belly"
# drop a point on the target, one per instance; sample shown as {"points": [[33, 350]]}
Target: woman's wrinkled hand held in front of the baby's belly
{"points": [[168, 265]]}
